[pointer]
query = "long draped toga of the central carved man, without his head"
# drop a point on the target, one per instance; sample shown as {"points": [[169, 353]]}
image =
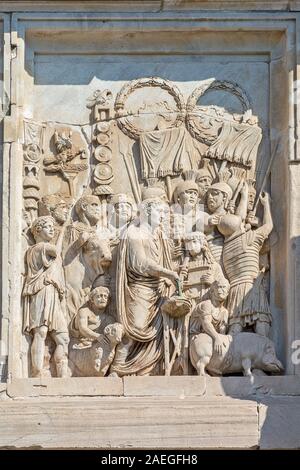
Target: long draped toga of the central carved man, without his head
{"points": [[139, 297]]}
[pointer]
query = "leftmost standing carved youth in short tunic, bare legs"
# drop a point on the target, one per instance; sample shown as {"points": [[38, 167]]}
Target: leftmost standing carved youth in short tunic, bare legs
{"points": [[43, 294]]}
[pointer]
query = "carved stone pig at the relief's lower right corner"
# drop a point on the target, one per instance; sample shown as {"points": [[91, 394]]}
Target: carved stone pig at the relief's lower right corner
{"points": [[240, 353]]}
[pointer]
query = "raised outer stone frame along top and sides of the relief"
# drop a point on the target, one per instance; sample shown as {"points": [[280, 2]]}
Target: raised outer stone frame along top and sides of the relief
{"points": [[288, 24]]}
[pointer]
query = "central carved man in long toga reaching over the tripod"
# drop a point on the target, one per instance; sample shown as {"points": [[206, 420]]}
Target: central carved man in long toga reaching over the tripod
{"points": [[143, 269]]}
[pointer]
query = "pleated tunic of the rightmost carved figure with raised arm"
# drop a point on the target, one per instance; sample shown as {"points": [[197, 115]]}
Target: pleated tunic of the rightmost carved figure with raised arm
{"points": [[247, 300]]}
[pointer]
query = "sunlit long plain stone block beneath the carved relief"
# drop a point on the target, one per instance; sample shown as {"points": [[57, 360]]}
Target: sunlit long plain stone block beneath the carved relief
{"points": [[127, 423]]}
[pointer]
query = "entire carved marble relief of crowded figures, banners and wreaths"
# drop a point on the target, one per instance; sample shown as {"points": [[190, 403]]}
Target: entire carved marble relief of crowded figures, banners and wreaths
{"points": [[169, 278]]}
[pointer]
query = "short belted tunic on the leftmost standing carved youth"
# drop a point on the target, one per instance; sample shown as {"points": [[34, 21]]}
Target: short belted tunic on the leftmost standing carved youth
{"points": [[43, 290]]}
